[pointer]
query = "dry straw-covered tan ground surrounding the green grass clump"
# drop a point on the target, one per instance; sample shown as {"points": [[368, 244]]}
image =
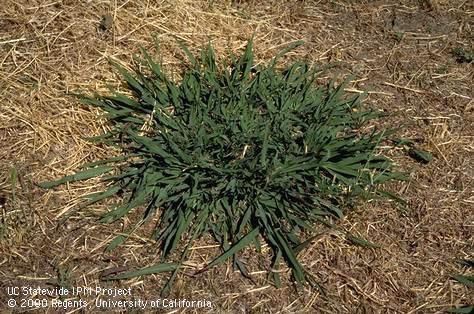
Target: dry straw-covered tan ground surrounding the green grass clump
{"points": [[400, 51]]}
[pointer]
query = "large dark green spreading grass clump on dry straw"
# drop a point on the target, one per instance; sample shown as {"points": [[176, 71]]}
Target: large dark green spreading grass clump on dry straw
{"points": [[243, 152]]}
